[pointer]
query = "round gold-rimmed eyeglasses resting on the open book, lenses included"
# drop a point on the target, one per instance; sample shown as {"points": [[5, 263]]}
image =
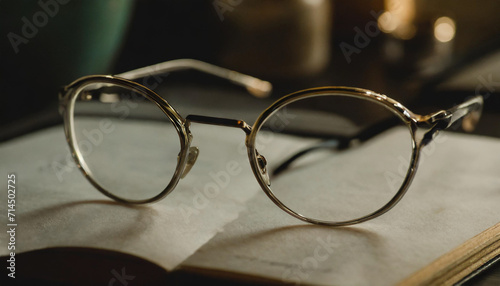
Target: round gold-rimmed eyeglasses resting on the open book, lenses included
{"points": [[330, 155]]}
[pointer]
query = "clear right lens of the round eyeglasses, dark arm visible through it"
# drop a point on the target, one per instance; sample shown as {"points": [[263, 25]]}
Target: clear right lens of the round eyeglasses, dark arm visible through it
{"points": [[334, 158]]}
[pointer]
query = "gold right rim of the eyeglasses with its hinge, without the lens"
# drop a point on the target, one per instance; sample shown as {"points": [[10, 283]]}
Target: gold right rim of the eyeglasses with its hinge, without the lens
{"points": [[422, 130]]}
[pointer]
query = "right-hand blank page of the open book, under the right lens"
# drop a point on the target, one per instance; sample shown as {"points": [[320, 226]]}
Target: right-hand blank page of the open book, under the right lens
{"points": [[454, 196]]}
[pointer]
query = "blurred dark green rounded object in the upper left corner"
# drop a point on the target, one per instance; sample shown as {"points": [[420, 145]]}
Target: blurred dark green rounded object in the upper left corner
{"points": [[73, 38]]}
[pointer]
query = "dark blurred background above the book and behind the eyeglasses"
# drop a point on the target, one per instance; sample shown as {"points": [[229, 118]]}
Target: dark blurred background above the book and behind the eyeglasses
{"points": [[426, 54]]}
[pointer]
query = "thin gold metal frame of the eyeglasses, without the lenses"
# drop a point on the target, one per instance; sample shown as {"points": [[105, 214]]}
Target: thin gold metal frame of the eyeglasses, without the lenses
{"points": [[422, 128]]}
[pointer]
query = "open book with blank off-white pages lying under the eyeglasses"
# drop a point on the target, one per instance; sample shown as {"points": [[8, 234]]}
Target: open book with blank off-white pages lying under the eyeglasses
{"points": [[445, 227]]}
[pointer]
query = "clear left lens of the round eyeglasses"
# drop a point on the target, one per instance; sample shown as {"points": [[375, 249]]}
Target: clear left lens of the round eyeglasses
{"points": [[125, 143]]}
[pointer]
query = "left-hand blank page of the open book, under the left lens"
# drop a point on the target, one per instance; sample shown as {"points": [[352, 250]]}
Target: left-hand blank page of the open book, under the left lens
{"points": [[57, 206]]}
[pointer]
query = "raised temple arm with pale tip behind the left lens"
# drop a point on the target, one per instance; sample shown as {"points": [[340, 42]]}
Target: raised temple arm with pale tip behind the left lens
{"points": [[255, 86]]}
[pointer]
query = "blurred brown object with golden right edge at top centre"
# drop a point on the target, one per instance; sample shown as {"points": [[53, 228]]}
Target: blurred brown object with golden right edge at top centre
{"points": [[262, 38]]}
